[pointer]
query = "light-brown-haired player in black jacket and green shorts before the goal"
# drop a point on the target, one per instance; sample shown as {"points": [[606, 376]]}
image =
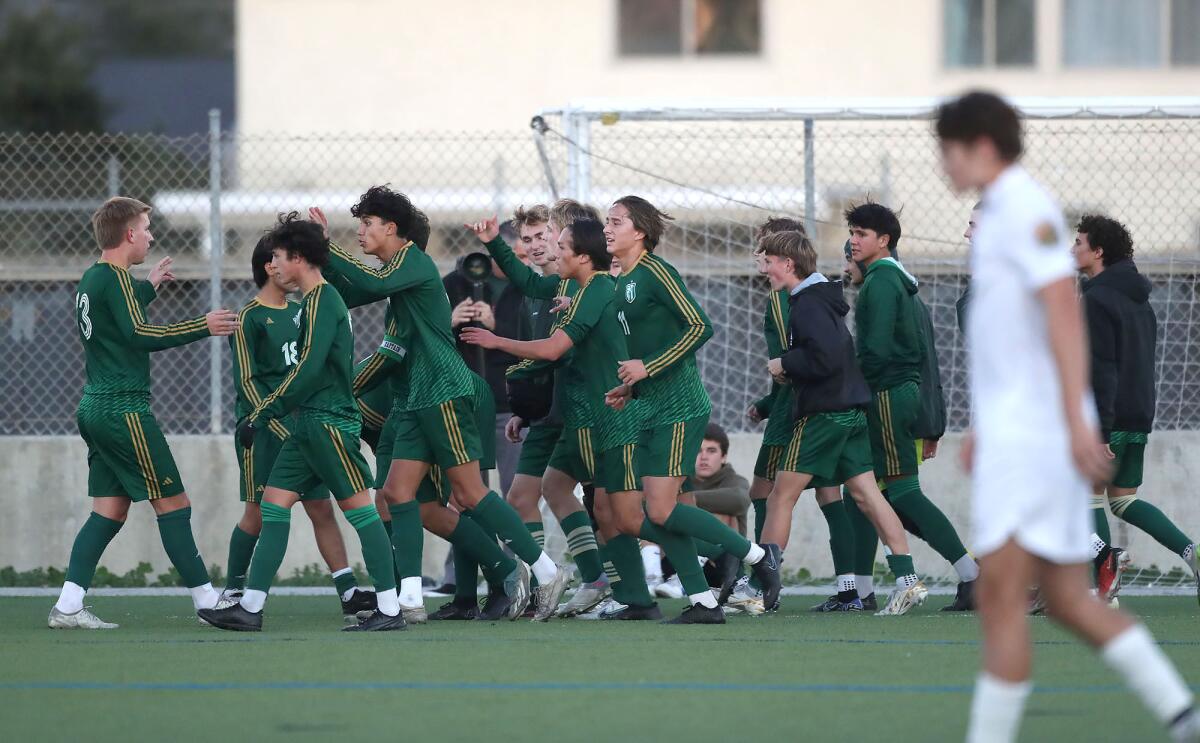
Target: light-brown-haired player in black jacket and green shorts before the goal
{"points": [[830, 439]]}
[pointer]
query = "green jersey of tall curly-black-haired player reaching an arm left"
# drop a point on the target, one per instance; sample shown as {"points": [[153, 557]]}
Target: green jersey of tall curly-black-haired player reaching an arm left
{"points": [[435, 371]]}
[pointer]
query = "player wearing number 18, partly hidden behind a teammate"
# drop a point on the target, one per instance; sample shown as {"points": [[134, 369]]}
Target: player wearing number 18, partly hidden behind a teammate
{"points": [[263, 350]]}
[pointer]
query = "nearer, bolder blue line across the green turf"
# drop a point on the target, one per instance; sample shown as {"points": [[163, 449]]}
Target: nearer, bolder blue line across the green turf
{"points": [[455, 686]]}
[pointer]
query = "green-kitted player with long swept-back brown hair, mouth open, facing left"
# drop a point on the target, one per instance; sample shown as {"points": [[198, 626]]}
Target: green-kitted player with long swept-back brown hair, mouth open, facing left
{"points": [[665, 328]]}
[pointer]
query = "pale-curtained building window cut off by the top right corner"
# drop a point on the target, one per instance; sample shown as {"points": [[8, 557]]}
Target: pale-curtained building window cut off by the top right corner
{"points": [[1131, 33]]}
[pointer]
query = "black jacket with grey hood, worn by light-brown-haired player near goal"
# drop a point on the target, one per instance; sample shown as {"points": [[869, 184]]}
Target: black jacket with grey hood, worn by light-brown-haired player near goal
{"points": [[820, 359]]}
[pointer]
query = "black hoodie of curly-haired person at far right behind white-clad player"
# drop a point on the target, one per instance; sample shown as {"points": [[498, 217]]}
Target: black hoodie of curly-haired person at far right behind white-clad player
{"points": [[1123, 329]]}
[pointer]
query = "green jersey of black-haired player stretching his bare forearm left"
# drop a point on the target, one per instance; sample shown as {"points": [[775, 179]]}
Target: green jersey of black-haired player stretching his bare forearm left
{"points": [[601, 345]]}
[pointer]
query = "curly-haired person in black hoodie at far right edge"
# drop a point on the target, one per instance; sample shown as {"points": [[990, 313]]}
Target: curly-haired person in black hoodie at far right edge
{"points": [[1123, 331]]}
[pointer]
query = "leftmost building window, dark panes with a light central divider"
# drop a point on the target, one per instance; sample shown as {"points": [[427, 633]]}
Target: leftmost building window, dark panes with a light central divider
{"points": [[689, 28]]}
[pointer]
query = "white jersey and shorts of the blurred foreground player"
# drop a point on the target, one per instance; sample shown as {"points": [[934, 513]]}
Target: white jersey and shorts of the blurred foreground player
{"points": [[1025, 483]]}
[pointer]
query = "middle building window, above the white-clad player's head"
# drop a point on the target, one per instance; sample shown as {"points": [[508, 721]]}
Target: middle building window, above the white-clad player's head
{"points": [[988, 33]]}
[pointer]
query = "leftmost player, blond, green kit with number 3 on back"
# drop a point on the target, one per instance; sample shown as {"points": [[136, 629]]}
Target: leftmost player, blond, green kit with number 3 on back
{"points": [[128, 456]]}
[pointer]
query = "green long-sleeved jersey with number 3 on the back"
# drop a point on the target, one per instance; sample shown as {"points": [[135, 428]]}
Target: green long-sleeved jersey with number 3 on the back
{"points": [[118, 339]]}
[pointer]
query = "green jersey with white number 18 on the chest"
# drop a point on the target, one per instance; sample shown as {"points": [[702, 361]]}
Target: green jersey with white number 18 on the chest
{"points": [[265, 350]]}
